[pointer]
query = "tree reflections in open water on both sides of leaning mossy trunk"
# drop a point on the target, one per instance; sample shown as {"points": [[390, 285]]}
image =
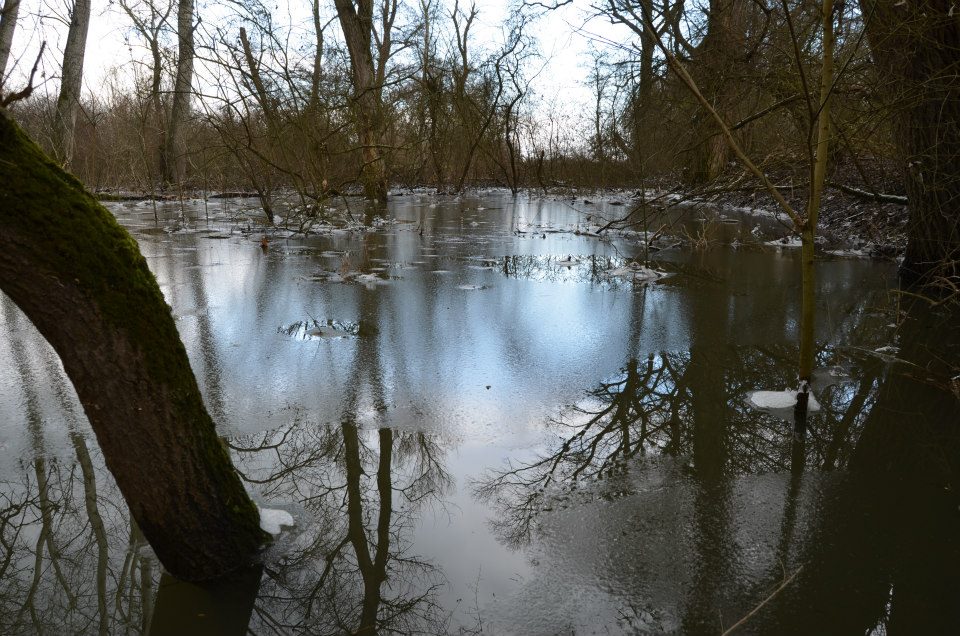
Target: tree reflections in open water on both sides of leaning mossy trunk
{"points": [[67, 567]]}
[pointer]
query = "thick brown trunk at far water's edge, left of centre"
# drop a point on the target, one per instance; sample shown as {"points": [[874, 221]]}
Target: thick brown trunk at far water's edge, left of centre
{"points": [[356, 21]]}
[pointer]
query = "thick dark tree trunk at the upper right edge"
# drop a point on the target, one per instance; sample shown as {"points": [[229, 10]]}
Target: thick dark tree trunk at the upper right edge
{"points": [[915, 45]]}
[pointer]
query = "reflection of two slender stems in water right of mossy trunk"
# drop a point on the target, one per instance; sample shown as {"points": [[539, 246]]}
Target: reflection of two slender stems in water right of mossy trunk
{"points": [[351, 570]]}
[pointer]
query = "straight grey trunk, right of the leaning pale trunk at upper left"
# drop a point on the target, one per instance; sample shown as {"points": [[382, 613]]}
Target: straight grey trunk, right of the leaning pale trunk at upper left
{"points": [[176, 154]]}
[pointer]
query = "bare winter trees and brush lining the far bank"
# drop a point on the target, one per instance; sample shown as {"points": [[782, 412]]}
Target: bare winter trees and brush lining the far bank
{"points": [[405, 92]]}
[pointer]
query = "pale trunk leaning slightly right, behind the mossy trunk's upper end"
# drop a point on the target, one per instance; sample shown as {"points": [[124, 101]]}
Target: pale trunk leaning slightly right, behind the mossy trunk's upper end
{"points": [[68, 103]]}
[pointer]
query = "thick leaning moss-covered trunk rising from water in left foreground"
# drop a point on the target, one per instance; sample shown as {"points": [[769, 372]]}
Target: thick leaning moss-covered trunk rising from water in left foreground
{"points": [[80, 278]]}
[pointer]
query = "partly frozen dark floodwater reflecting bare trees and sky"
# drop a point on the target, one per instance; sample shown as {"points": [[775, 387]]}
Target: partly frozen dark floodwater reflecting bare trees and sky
{"points": [[481, 436]]}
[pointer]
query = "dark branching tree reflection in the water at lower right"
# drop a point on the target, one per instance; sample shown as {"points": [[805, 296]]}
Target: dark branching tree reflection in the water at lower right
{"points": [[687, 507]]}
